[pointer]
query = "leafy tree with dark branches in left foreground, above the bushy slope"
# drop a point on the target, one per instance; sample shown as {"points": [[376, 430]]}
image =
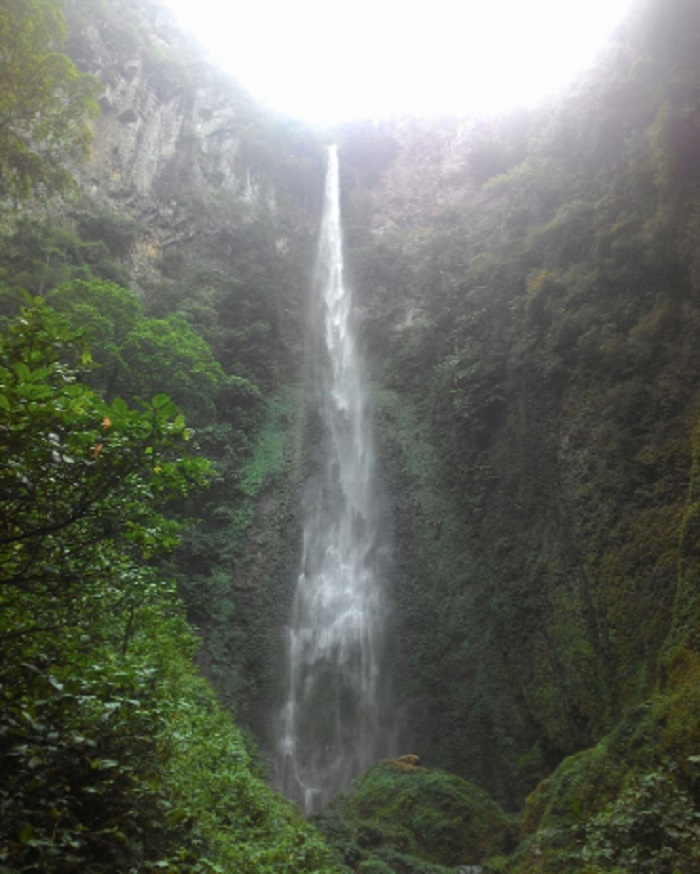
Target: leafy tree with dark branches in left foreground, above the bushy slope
{"points": [[82, 481]]}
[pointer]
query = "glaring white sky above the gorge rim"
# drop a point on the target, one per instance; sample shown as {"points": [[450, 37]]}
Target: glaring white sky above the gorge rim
{"points": [[326, 61]]}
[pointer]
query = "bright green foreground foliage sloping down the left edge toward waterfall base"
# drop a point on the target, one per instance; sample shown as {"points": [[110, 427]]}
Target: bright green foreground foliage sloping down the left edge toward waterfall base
{"points": [[114, 754]]}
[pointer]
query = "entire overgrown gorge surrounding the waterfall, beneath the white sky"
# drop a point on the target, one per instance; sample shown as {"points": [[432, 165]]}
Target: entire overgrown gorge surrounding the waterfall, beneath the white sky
{"points": [[525, 298]]}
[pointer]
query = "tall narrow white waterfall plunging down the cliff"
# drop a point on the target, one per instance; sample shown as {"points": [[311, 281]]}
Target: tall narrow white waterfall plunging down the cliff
{"points": [[330, 721]]}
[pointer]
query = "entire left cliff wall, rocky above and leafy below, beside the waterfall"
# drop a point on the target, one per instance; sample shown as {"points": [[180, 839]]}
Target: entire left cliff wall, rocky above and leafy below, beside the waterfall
{"points": [[220, 249]]}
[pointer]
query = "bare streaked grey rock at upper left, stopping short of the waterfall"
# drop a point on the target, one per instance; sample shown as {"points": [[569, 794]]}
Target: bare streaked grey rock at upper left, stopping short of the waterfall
{"points": [[171, 126]]}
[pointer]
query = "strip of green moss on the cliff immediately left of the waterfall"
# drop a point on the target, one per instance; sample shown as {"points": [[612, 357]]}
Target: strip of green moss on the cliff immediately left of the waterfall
{"points": [[244, 600]]}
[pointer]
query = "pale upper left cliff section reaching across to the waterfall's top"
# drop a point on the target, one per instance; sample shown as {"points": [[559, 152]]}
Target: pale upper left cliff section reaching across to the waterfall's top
{"points": [[181, 149]]}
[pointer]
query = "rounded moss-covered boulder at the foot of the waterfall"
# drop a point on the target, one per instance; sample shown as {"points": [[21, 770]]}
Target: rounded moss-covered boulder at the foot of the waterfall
{"points": [[414, 819]]}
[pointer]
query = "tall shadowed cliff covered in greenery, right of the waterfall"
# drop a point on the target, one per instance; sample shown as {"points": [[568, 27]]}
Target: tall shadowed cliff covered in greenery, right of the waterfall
{"points": [[530, 293]]}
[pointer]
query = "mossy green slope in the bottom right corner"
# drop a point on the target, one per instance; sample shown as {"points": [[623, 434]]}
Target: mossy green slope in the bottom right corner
{"points": [[628, 803]]}
